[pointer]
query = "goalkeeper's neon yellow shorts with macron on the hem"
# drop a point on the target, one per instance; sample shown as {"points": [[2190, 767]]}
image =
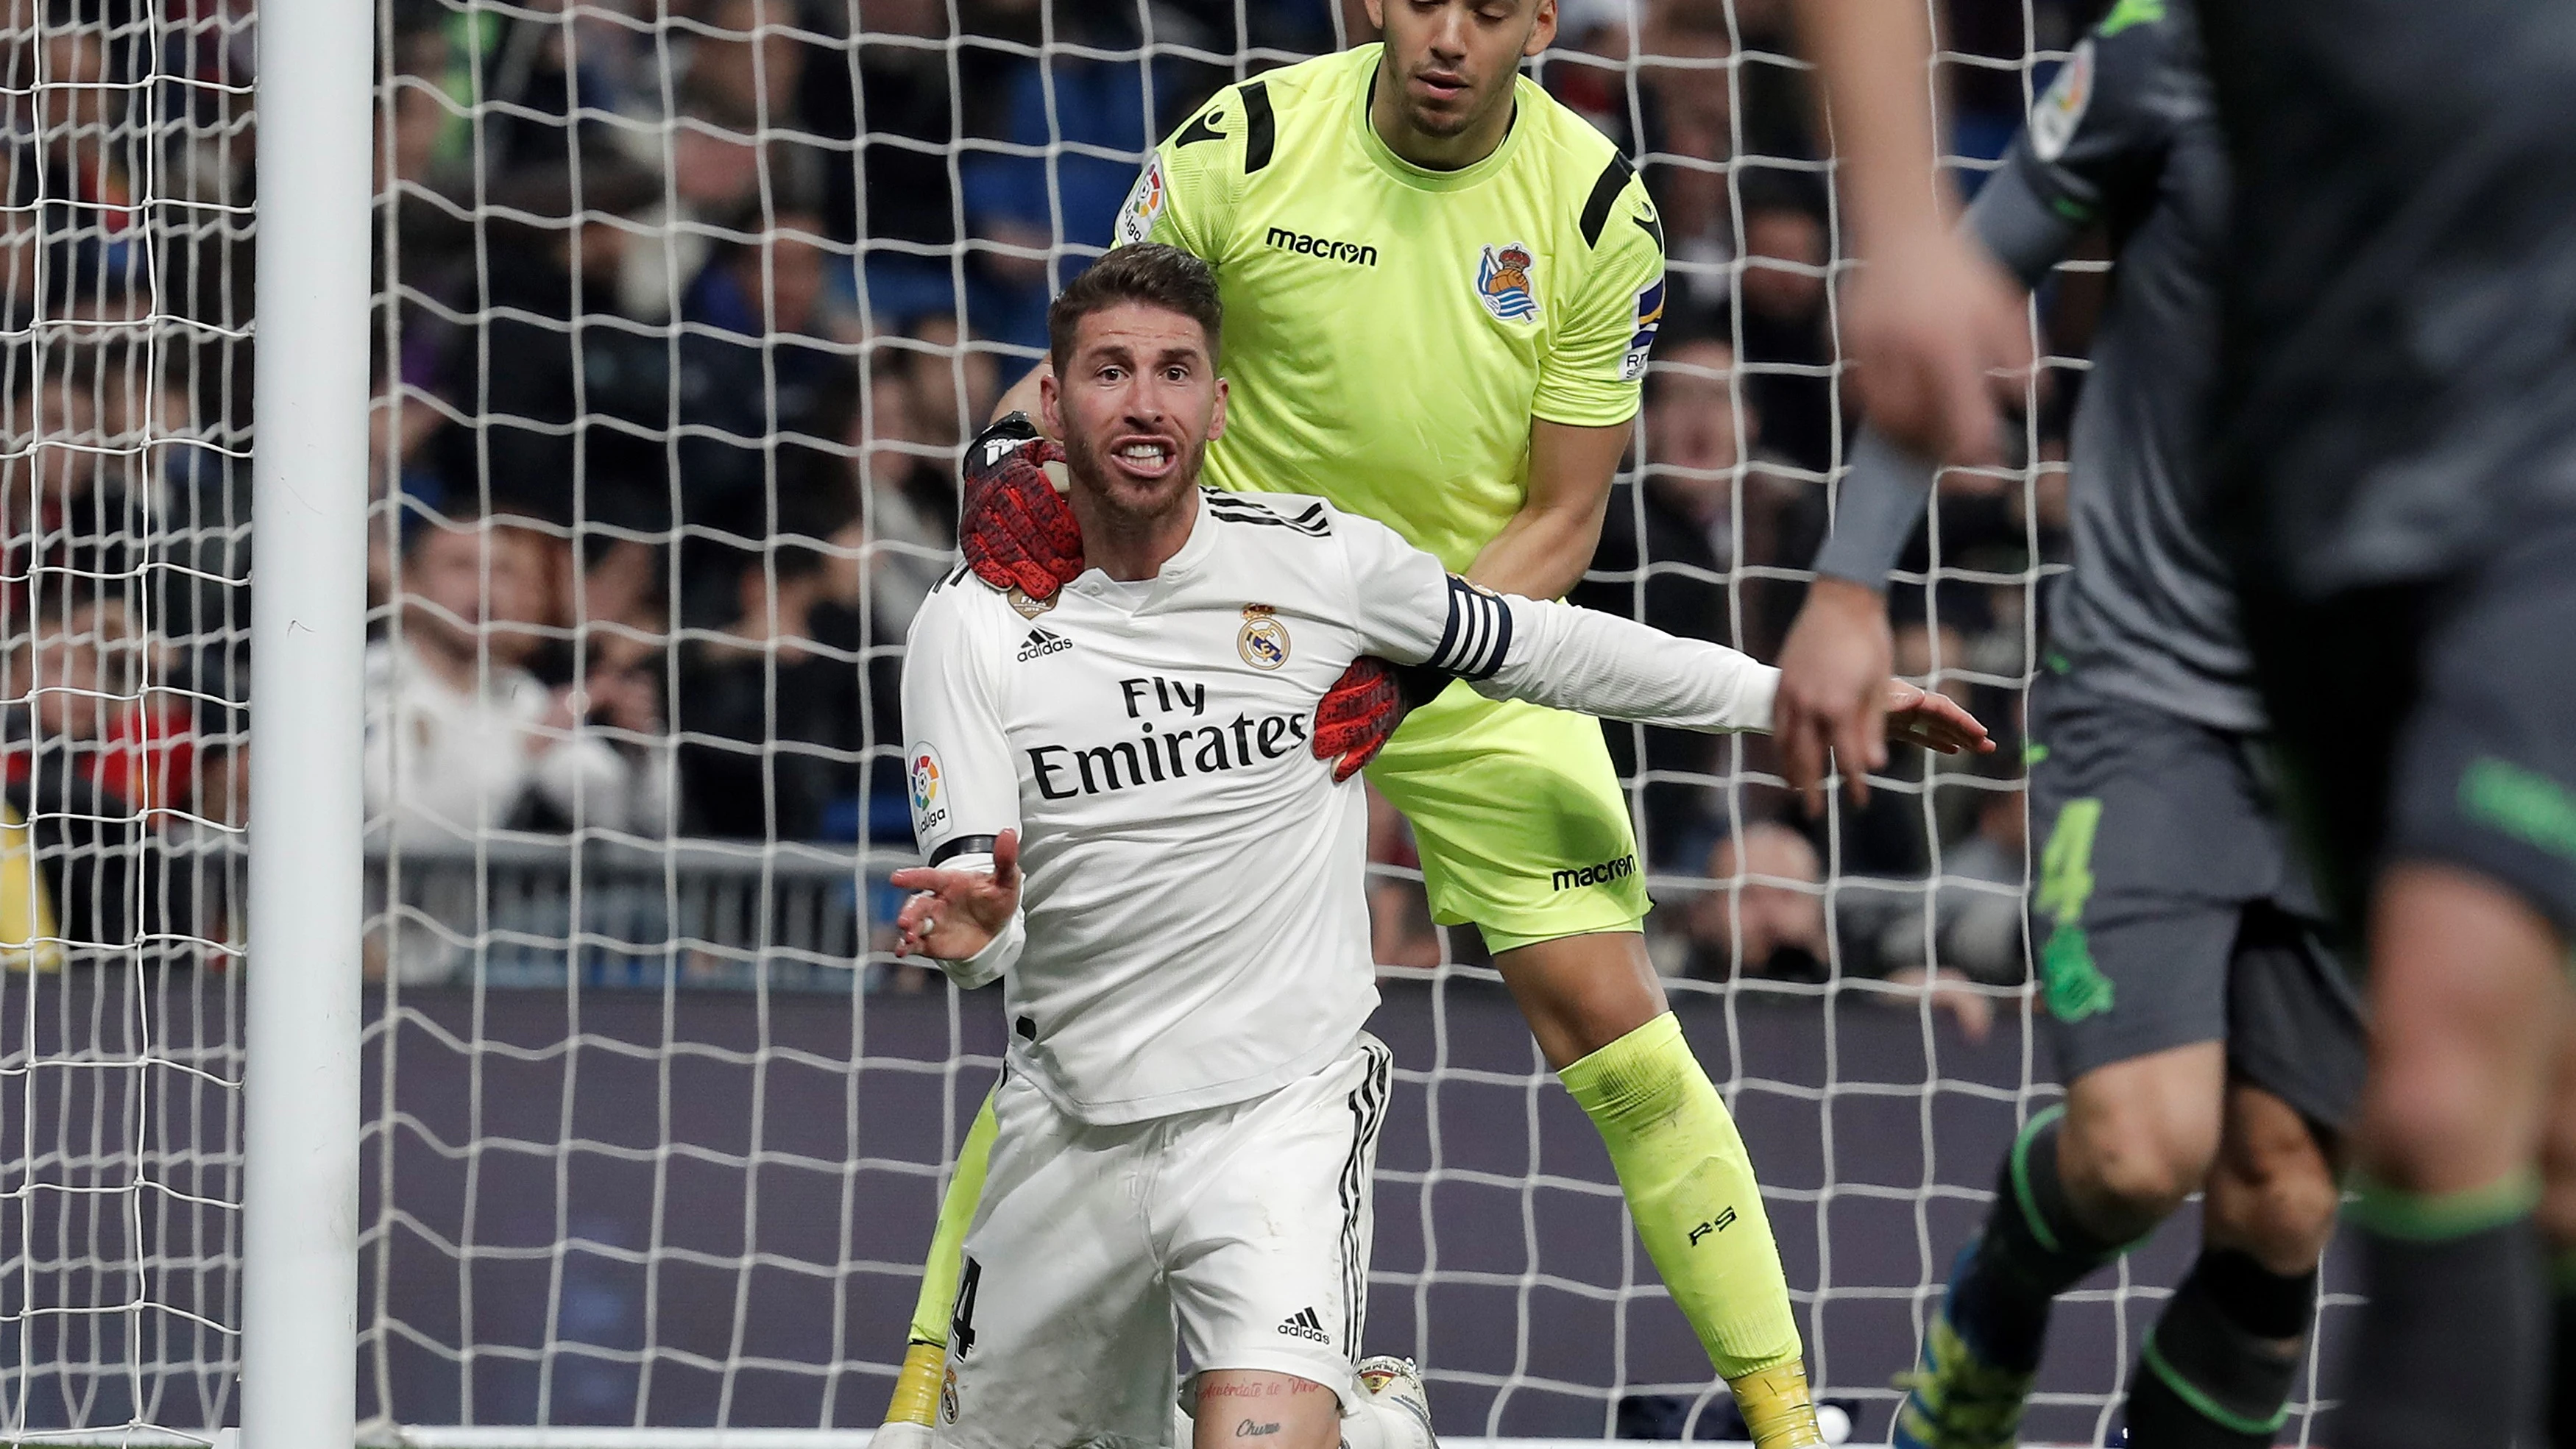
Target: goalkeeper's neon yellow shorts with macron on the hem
{"points": [[1519, 815]]}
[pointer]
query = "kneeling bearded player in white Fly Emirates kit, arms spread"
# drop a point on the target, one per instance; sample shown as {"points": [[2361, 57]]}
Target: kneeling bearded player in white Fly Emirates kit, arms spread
{"points": [[1124, 825]]}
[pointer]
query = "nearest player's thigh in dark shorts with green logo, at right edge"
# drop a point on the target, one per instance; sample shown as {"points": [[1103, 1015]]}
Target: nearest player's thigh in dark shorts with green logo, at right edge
{"points": [[2487, 758]]}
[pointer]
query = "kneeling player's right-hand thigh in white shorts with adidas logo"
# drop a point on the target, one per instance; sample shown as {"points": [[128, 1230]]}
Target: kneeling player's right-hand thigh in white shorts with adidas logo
{"points": [[1266, 1216]]}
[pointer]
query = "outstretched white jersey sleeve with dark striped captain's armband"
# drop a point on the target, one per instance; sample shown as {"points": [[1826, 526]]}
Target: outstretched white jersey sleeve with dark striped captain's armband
{"points": [[1544, 652]]}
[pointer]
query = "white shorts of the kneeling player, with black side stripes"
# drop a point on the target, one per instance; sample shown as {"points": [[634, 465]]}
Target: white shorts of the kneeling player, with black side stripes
{"points": [[1240, 1226]]}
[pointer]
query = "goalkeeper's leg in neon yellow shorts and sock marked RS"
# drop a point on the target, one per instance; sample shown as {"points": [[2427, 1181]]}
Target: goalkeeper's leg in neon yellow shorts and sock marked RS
{"points": [[1526, 833]]}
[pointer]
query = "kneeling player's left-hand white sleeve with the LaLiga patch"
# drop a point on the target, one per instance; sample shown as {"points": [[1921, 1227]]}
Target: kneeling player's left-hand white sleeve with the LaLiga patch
{"points": [[957, 766]]}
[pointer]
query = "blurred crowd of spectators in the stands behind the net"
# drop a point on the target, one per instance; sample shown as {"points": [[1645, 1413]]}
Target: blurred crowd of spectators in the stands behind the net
{"points": [[684, 315]]}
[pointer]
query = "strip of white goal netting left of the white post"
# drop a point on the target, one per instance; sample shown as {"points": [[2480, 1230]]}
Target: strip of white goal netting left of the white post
{"points": [[125, 284]]}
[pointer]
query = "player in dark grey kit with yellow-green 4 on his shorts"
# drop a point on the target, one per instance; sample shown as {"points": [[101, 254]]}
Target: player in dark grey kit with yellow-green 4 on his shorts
{"points": [[2204, 1033]]}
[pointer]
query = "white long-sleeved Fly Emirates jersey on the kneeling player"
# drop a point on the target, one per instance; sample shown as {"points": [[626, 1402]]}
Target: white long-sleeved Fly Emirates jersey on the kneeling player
{"points": [[1194, 923]]}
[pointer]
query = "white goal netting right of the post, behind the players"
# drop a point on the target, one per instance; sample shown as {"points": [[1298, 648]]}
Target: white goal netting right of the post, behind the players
{"points": [[687, 308]]}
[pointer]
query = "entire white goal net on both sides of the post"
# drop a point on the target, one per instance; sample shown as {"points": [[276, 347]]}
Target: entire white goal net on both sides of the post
{"points": [[684, 313]]}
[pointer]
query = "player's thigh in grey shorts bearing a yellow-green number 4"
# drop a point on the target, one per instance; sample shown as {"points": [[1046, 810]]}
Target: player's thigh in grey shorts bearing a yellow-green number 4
{"points": [[2152, 845]]}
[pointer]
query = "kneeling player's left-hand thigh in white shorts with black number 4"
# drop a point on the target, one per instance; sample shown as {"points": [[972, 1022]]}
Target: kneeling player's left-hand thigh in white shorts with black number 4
{"points": [[1060, 1329]]}
